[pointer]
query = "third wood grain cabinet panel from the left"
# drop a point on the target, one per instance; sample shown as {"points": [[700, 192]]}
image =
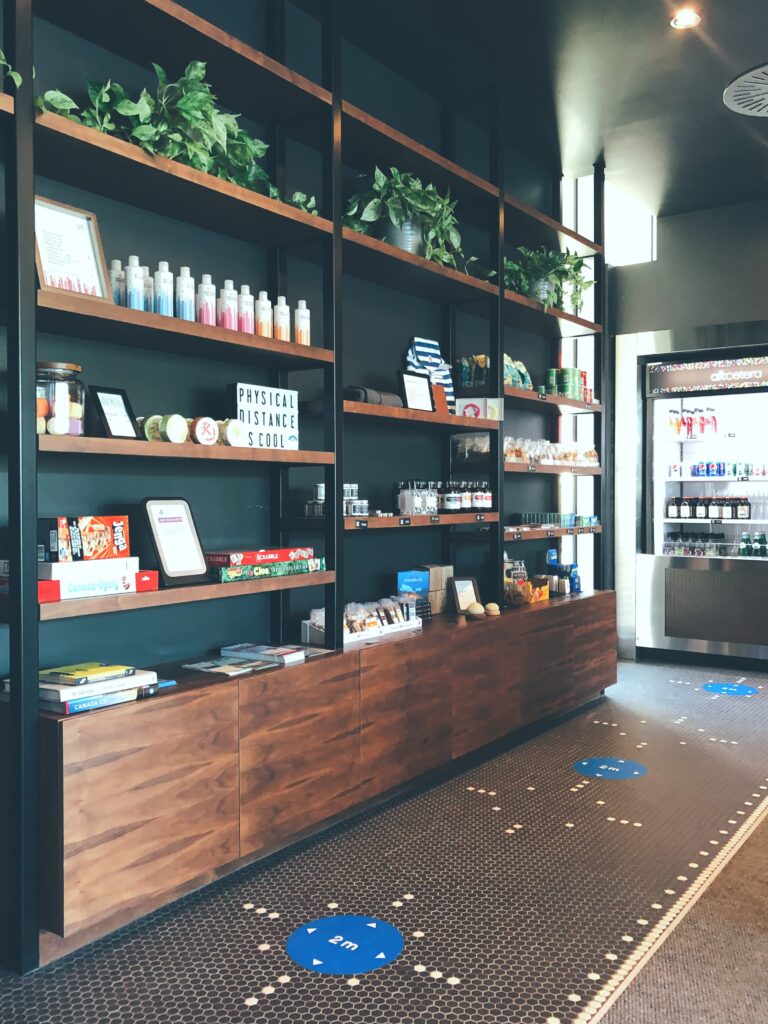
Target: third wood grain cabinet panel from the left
{"points": [[406, 706]]}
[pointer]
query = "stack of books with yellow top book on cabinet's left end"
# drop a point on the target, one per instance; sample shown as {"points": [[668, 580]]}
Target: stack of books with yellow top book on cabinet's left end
{"points": [[73, 689]]}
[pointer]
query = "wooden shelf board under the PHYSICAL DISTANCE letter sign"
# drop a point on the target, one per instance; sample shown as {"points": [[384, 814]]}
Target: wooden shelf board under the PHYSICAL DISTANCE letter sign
{"points": [[67, 445]]}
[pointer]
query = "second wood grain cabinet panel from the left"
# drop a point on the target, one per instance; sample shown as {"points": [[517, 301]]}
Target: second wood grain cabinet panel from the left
{"points": [[300, 742]]}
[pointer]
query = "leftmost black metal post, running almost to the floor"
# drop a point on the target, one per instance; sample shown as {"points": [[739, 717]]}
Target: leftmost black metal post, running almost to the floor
{"points": [[22, 882]]}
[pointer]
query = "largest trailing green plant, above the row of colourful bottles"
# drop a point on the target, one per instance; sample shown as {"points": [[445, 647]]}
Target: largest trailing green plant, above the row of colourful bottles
{"points": [[182, 121]]}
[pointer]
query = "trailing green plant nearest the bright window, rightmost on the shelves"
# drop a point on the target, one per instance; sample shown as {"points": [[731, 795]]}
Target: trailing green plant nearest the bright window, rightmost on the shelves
{"points": [[547, 276]]}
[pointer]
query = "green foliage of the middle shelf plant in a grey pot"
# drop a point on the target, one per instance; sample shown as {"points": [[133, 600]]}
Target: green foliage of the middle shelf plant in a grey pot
{"points": [[401, 197]]}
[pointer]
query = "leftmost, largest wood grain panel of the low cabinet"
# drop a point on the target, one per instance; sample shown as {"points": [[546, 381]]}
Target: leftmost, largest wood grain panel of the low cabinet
{"points": [[150, 799]]}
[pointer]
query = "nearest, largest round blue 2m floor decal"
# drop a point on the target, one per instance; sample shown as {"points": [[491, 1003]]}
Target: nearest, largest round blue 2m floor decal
{"points": [[346, 945]]}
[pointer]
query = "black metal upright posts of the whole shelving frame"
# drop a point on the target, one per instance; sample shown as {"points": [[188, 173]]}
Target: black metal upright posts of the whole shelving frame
{"points": [[20, 945]]}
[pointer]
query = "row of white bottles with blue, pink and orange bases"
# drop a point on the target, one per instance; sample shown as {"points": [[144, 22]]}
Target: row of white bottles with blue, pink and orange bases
{"points": [[136, 288]]}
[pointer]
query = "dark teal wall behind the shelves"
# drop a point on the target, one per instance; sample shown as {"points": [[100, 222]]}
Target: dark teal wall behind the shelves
{"points": [[231, 503]]}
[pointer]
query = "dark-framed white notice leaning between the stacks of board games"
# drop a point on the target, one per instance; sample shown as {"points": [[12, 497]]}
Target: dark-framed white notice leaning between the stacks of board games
{"points": [[176, 541]]}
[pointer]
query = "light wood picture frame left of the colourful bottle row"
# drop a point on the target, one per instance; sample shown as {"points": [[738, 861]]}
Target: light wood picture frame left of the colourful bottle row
{"points": [[69, 254]]}
